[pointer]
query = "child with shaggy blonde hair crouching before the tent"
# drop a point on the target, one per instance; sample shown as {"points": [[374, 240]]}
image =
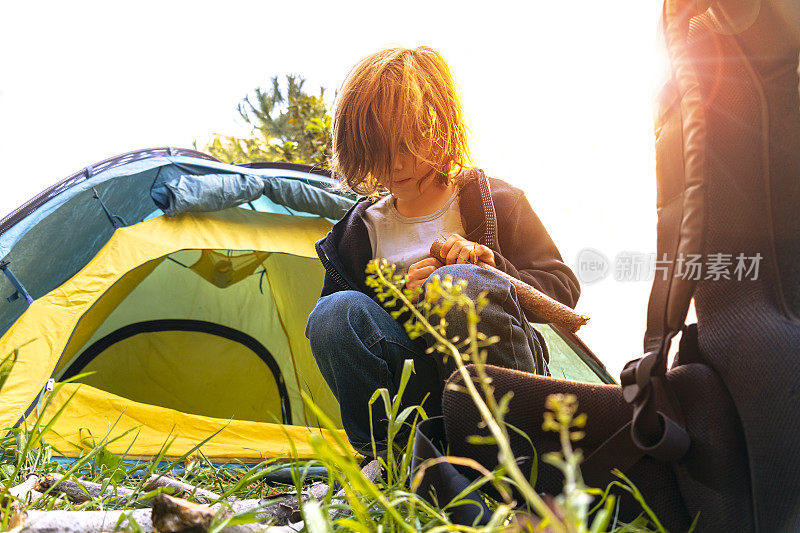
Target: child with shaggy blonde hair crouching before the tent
{"points": [[399, 137]]}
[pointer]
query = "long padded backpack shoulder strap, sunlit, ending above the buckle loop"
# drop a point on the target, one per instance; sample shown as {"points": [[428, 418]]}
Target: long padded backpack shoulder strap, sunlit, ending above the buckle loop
{"points": [[681, 167]]}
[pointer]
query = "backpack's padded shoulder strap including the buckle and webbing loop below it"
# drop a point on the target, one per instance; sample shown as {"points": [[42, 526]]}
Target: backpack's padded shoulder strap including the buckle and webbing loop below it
{"points": [[657, 424]]}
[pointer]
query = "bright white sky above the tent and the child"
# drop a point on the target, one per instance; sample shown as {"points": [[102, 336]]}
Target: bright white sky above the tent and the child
{"points": [[558, 97]]}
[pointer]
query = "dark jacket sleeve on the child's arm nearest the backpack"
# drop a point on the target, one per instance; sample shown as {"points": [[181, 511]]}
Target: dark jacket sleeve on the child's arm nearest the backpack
{"points": [[529, 254]]}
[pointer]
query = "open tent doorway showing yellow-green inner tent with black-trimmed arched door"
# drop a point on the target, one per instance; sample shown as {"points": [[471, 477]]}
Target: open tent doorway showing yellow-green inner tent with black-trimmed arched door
{"points": [[183, 337]]}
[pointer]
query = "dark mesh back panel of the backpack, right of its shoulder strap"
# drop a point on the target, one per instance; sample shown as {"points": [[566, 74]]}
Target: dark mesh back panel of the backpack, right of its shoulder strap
{"points": [[752, 193]]}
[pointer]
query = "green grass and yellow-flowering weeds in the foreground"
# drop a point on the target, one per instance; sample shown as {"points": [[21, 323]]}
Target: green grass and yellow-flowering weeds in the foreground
{"points": [[388, 505]]}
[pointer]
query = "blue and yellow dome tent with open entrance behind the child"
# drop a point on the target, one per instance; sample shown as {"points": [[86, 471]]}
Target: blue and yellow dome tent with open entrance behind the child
{"points": [[190, 325]]}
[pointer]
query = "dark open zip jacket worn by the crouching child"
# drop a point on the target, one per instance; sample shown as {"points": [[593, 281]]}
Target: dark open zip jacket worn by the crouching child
{"points": [[493, 213]]}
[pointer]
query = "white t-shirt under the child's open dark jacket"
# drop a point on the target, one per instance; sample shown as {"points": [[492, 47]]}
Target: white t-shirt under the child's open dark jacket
{"points": [[405, 240]]}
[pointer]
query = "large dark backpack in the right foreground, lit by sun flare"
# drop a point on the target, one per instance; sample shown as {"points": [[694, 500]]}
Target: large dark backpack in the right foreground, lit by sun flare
{"points": [[711, 438]]}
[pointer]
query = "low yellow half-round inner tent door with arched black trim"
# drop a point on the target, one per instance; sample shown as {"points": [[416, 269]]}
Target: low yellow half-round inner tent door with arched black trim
{"points": [[192, 366]]}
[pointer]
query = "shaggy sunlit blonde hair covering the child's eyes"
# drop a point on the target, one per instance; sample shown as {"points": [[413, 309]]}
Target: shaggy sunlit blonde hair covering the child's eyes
{"points": [[395, 100]]}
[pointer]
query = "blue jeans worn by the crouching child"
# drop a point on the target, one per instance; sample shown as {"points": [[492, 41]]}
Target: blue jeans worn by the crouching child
{"points": [[359, 348]]}
